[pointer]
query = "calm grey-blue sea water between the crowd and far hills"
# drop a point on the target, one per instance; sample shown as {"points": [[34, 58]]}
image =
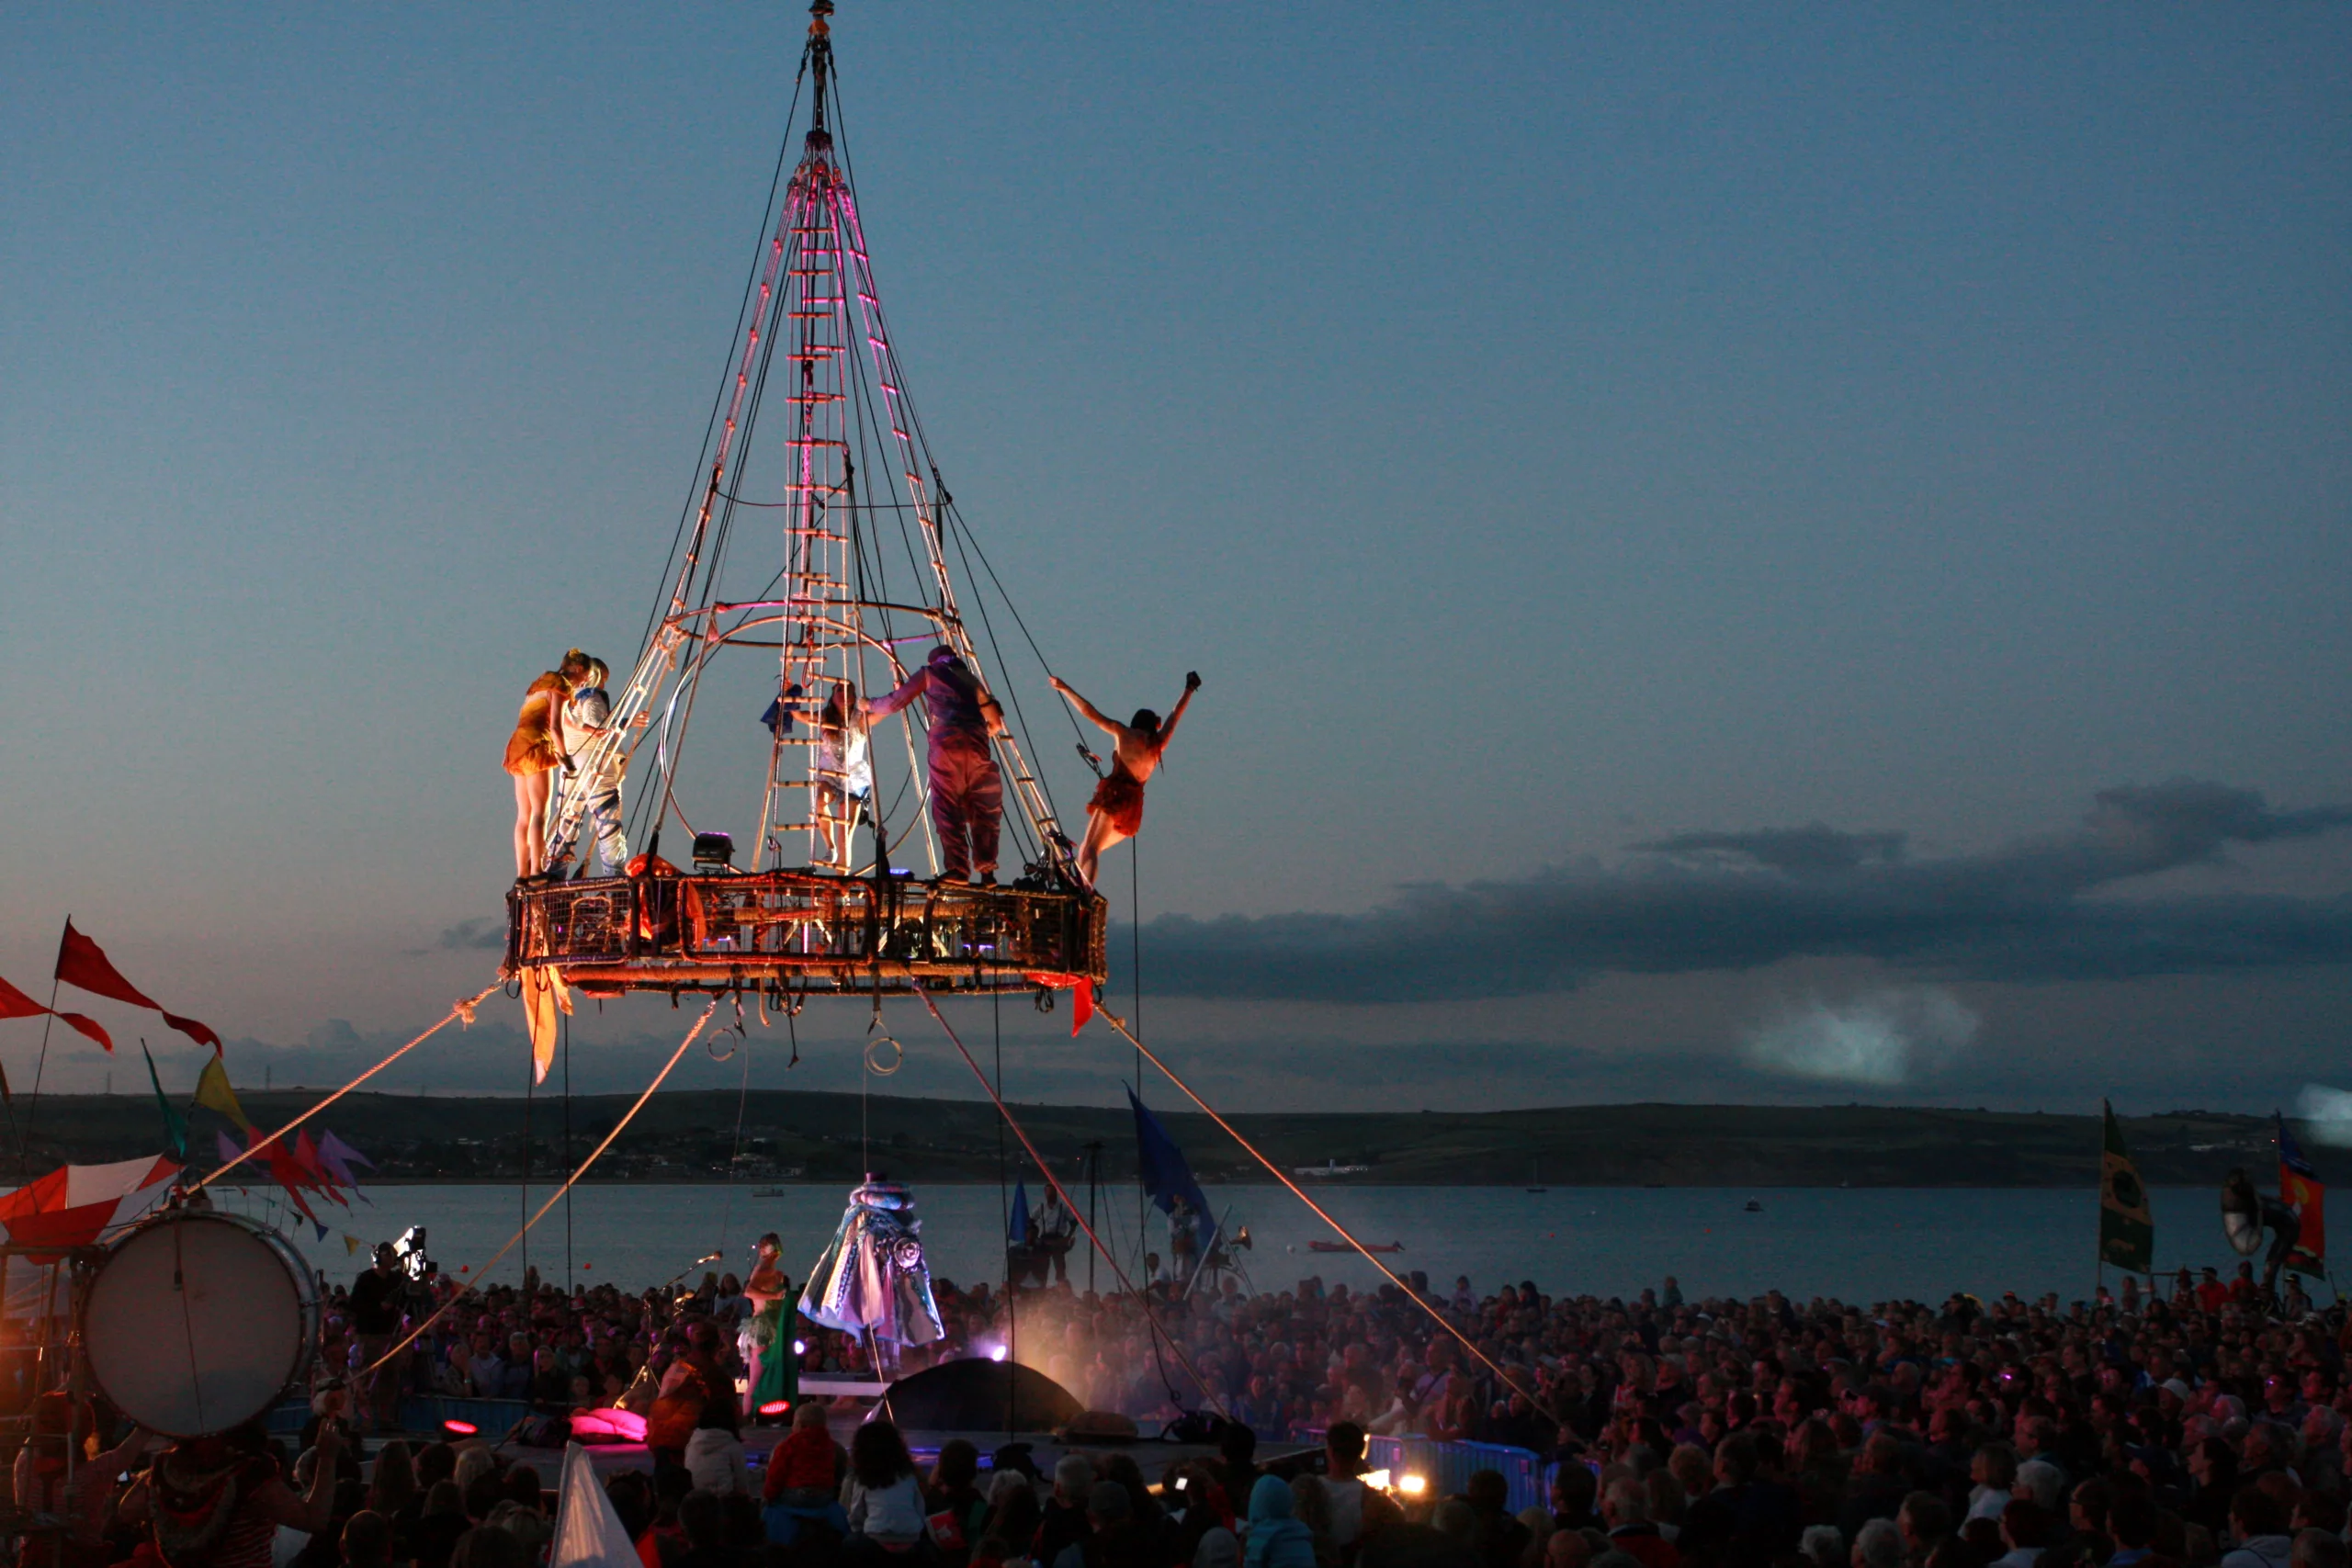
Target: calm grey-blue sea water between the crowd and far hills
{"points": [[1857, 1245]]}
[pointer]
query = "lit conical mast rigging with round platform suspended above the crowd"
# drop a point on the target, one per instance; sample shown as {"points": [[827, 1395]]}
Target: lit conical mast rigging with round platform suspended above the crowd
{"points": [[810, 916]]}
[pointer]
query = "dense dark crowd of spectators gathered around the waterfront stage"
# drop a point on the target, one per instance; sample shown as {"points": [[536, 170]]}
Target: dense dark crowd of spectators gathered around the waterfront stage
{"points": [[2203, 1428]]}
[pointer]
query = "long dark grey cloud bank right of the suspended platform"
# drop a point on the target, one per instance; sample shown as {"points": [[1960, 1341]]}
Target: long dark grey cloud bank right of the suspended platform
{"points": [[1732, 902]]}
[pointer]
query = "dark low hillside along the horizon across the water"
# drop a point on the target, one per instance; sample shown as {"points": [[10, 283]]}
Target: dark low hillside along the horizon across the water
{"points": [[693, 1137]]}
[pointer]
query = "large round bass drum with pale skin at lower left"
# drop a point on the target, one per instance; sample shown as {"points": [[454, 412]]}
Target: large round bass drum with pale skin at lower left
{"points": [[199, 1322]]}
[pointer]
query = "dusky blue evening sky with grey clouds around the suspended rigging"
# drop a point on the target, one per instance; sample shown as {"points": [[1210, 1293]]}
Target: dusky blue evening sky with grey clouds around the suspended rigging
{"points": [[1737, 554]]}
